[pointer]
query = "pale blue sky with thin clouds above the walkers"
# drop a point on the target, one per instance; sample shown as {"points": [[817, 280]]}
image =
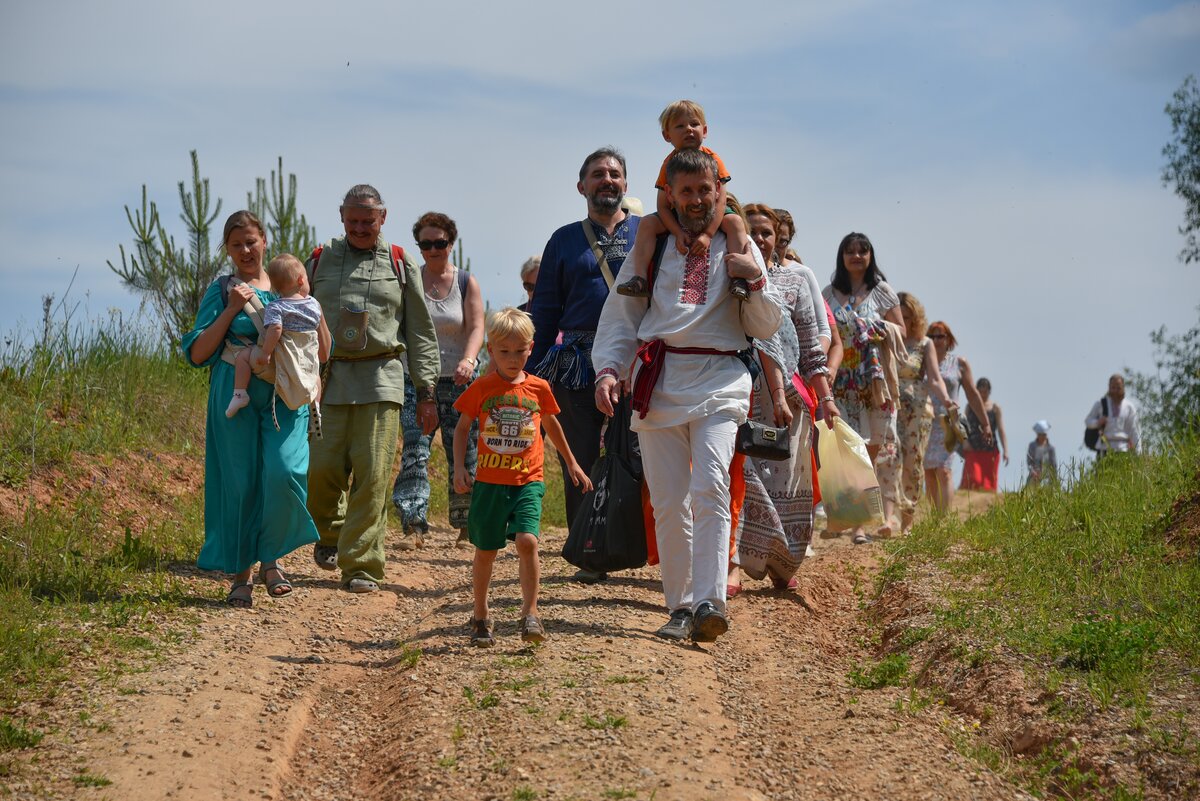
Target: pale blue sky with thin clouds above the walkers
{"points": [[1005, 156]]}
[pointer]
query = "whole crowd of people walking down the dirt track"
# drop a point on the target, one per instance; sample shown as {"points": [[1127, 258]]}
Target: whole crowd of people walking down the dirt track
{"points": [[699, 322]]}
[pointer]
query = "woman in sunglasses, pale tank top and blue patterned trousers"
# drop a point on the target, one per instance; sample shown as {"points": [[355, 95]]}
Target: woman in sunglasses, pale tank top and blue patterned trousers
{"points": [[457, 306]]}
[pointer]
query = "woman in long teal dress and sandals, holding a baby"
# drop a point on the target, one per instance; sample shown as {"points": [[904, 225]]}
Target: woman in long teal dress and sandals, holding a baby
{"points": [[255, 477]]}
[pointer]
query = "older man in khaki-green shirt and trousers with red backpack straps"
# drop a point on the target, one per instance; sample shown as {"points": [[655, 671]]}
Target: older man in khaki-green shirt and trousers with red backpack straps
{"points": [[373, 298]]}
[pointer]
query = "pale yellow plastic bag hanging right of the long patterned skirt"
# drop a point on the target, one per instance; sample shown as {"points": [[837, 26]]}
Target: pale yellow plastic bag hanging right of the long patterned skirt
{"points": [[849, 487]]}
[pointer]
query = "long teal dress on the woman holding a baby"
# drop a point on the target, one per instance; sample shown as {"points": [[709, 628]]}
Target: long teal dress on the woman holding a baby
{"points": [[256, 479]]}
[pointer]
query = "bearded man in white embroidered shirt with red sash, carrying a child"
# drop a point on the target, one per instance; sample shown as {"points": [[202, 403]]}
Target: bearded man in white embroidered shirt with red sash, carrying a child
{"points": [[691, 394]]}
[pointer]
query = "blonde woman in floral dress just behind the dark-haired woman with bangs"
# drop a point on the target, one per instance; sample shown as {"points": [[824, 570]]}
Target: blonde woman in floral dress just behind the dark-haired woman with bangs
{"points": [[919, 374]]}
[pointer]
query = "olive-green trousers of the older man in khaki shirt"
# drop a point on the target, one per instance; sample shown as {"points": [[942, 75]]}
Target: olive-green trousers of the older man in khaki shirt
{"points": [[350, 484]]}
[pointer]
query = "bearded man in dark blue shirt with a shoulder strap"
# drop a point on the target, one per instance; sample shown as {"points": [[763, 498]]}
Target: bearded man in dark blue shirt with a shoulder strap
{"points": [[578, 270]]}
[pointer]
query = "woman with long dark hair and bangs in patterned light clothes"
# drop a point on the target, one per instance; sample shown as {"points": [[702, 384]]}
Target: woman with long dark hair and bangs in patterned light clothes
{"points": [[861, 300]]}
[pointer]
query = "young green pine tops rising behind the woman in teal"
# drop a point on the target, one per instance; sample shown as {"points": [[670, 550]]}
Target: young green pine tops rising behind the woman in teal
{"points": [[173, 280]]}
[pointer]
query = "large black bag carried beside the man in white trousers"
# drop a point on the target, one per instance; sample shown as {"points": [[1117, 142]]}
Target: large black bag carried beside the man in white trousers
{"points": [[609, 531]]}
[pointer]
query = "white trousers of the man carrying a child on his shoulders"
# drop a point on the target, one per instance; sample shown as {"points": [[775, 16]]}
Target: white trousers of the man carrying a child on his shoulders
{"points": [[688, 473]]}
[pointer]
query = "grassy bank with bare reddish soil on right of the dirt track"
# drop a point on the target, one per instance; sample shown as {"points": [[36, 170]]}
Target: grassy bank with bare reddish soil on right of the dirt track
{"points": [[1066, 624]]}
